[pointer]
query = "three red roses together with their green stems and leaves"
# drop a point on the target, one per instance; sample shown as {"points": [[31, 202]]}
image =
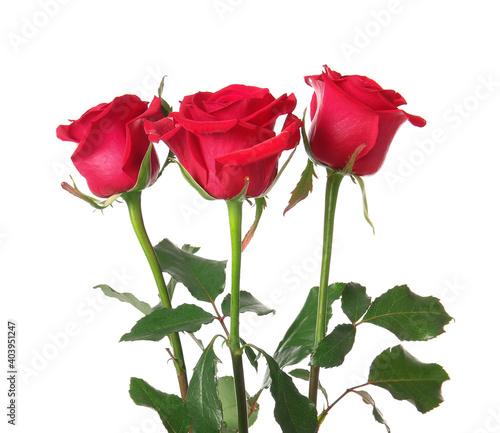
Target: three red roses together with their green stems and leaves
{"points": [[226, 147]]}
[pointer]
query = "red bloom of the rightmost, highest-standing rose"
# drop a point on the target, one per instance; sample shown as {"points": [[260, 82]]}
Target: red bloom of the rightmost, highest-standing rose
{"points": [[347, 111]]}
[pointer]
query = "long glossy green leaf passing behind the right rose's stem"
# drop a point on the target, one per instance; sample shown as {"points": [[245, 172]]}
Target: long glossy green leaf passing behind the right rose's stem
{"points": [[298, 341]]}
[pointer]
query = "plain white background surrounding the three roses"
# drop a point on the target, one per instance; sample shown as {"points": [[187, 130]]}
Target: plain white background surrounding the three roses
{"points": [[434, 203]]}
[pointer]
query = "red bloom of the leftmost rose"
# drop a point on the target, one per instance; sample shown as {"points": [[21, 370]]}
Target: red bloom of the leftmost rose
{"points": [[112, 144]]}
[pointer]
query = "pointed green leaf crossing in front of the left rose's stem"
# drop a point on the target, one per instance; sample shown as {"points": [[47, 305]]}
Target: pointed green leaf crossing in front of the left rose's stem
{"points": [[160, 323]]}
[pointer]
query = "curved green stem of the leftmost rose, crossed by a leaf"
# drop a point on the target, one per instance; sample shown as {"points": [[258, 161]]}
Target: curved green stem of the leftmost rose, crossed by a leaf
{"points": [[133, 200]]}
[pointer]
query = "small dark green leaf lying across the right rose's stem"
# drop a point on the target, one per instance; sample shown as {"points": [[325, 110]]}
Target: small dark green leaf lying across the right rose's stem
{"points": [[332, 350]]}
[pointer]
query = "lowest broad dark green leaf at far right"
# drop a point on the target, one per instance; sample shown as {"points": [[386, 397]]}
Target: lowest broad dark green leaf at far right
{"points": [[406, 378]]}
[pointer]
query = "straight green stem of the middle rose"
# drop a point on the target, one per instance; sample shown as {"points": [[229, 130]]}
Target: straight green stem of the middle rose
{"points": [[235, 216]]}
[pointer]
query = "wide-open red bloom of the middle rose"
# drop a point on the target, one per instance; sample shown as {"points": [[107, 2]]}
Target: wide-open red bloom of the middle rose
{"points": [[222, 138]]}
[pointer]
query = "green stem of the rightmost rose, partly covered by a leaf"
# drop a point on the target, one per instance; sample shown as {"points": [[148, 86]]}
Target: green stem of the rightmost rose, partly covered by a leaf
{"points": [[332, 188]]}
